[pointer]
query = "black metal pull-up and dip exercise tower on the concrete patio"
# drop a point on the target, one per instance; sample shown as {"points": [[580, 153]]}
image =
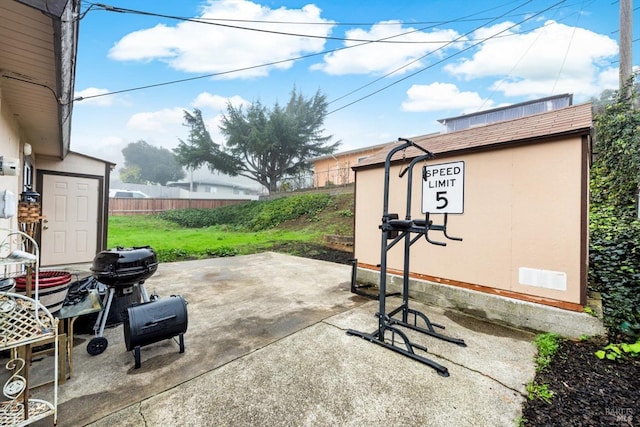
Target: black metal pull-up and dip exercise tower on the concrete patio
{"points": [[396, 230]]}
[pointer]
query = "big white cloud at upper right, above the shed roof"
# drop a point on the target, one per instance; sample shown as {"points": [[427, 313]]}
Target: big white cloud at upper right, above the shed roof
{"points": [[554, 58]]}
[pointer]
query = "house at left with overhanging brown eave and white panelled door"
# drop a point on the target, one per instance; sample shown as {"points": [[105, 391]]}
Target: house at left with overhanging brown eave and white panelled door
{"points": [[37, 75]]}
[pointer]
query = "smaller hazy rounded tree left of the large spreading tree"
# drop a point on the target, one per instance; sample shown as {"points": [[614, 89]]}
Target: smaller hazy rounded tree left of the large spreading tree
{"points": [[156, 165]]}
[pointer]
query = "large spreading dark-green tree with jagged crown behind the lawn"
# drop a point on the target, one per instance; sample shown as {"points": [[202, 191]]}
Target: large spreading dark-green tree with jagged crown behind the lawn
{"points": [[262, 144]]}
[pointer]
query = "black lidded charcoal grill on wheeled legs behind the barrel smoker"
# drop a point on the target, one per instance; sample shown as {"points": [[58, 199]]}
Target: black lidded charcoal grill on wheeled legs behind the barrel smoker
{"points": [[122, 270]]}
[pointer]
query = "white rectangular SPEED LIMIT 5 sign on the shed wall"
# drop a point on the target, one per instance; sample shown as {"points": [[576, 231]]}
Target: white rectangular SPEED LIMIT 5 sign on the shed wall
{"points": [[443, 188]]}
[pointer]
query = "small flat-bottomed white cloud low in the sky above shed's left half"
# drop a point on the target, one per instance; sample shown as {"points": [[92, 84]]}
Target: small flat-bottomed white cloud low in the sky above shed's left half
{"points": [[443, 96]]}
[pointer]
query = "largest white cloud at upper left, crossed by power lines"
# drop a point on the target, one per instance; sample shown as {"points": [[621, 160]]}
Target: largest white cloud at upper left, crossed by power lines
{"points": [[201, 48]]}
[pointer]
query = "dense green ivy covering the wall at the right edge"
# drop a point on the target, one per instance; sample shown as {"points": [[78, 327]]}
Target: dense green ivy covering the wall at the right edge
{"points": [[614, 251]]}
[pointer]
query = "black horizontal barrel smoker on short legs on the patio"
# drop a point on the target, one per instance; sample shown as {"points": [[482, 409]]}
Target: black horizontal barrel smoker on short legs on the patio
{"points": [[154, 321]]}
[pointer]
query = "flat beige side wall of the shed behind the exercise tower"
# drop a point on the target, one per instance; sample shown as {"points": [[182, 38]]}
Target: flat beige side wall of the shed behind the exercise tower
{"points": [[522, 208]]}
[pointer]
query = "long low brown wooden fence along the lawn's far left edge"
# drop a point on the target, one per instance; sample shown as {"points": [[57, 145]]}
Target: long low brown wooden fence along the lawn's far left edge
{"points": [[151, 206]]}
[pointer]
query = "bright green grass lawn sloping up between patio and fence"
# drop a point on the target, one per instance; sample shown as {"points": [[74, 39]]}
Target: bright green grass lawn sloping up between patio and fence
{"points": [[173, 242]]}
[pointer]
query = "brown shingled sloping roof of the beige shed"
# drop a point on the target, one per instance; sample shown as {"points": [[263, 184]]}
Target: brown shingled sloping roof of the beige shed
{"points": [[573, 120]]}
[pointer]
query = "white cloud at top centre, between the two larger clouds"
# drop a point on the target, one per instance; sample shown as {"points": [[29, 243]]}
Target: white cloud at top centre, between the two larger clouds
{"points": [[382, 58]]}
